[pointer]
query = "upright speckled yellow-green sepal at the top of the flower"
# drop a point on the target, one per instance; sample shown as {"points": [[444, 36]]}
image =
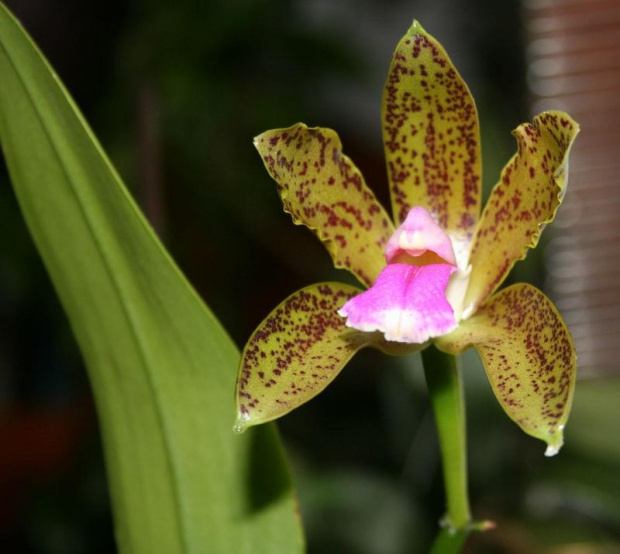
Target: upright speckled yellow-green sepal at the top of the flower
{"points": [[431, 137]]}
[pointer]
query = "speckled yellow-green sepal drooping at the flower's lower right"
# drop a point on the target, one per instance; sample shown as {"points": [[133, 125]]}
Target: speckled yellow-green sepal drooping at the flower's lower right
{"points": [[529, 358]]}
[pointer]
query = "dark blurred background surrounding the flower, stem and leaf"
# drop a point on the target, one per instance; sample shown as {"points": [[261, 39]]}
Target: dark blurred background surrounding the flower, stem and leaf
{"points": [[175, 91]]}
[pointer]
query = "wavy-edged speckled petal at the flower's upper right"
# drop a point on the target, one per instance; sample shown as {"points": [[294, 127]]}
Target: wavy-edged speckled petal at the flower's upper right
{"points": [[526, 198]]}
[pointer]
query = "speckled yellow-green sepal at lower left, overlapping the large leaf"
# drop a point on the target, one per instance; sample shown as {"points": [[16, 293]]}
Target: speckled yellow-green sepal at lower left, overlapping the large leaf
{"points": [[297, 351]]}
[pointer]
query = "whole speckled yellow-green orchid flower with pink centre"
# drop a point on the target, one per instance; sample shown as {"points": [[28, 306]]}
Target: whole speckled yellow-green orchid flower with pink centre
{"points": [[432, 278]]}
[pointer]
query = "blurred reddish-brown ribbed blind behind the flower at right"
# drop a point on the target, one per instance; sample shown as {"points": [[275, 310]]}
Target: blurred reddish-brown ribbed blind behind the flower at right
{"points": [[574, 65]]}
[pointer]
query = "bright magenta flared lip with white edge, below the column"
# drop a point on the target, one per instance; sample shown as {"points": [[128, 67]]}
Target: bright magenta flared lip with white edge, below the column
{"points": [[407, 304]]}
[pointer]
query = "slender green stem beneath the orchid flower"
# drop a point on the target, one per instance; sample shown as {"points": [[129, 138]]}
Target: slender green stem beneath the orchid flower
{"points": [[445, 388]]}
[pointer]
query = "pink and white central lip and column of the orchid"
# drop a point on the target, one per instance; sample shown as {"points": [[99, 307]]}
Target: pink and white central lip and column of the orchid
{"points": [[419, 294]]}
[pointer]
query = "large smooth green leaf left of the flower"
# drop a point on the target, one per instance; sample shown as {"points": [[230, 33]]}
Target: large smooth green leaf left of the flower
{"points": [[162, 368]]}
